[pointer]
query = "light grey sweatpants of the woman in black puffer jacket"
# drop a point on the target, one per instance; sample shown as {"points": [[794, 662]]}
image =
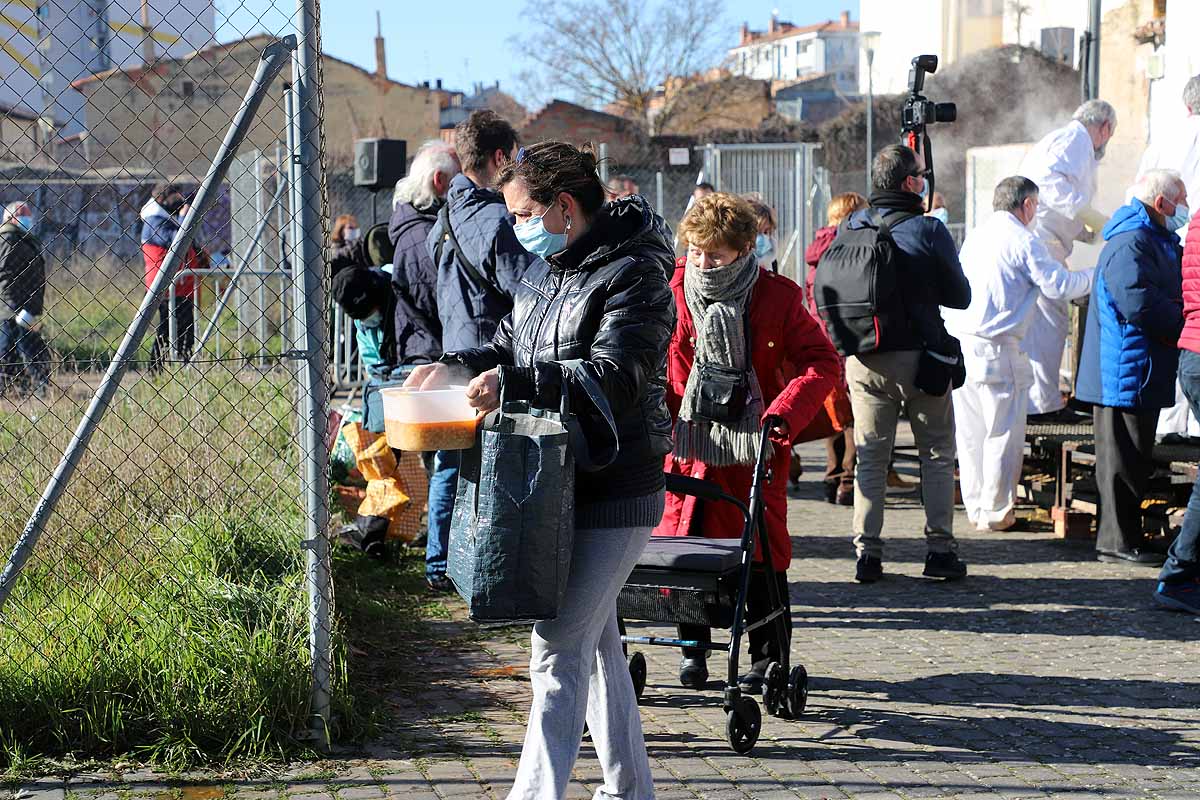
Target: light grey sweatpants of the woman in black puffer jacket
{"points": [[578, 670]]}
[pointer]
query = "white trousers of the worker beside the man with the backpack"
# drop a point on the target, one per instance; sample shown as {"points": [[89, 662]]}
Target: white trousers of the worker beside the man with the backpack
{"points": [[989, 413]]}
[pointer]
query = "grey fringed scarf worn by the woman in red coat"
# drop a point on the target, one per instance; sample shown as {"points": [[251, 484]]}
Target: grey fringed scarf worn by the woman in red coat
{"points": [[718, 299]]}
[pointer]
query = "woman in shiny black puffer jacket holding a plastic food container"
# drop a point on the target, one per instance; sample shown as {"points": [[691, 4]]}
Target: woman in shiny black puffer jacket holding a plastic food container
{"points": [[601, 297]]}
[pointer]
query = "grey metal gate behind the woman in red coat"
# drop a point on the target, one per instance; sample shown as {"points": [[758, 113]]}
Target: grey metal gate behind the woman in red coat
{"points": [[788, 179]]}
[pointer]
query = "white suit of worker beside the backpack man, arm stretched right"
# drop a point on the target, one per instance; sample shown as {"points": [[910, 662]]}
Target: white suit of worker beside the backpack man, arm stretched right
{"points": [[1010, 272]]}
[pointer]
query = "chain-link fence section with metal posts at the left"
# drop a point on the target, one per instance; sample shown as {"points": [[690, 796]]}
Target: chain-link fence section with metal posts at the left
{"points": [[164, 372]]}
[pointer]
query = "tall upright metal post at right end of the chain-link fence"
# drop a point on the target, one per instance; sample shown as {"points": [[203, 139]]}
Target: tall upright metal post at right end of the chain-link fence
{"points": [[311, 374]]}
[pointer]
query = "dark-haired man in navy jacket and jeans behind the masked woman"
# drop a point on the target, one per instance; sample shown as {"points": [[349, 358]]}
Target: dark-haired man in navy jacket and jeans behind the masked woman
{"points": [[481, 264]]}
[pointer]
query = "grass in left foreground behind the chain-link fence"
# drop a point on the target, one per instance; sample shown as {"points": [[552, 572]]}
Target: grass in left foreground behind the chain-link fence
{"points": [[164, 616]]}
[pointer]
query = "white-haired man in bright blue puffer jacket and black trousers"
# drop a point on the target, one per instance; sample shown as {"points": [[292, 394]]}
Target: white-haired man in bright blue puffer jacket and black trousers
{"points": [[1131, 357]]}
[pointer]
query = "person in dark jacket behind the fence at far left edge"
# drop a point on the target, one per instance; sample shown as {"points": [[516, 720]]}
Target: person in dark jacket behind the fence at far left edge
{"points": [[22, 293]]}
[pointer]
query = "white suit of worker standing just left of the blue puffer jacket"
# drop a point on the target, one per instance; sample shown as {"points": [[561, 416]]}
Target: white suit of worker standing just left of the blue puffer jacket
{"points": [[1064, 167]]}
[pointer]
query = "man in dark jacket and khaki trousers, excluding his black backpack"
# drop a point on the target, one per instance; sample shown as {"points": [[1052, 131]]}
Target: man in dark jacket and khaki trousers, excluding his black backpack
{"points": [[883, 382]]}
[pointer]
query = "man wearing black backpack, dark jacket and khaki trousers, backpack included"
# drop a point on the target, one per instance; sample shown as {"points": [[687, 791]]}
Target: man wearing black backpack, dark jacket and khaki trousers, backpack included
{"points": [[879, 288]]}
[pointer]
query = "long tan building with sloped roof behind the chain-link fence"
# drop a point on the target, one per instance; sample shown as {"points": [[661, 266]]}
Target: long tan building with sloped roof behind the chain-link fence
{"points": [[173, 116]]}
